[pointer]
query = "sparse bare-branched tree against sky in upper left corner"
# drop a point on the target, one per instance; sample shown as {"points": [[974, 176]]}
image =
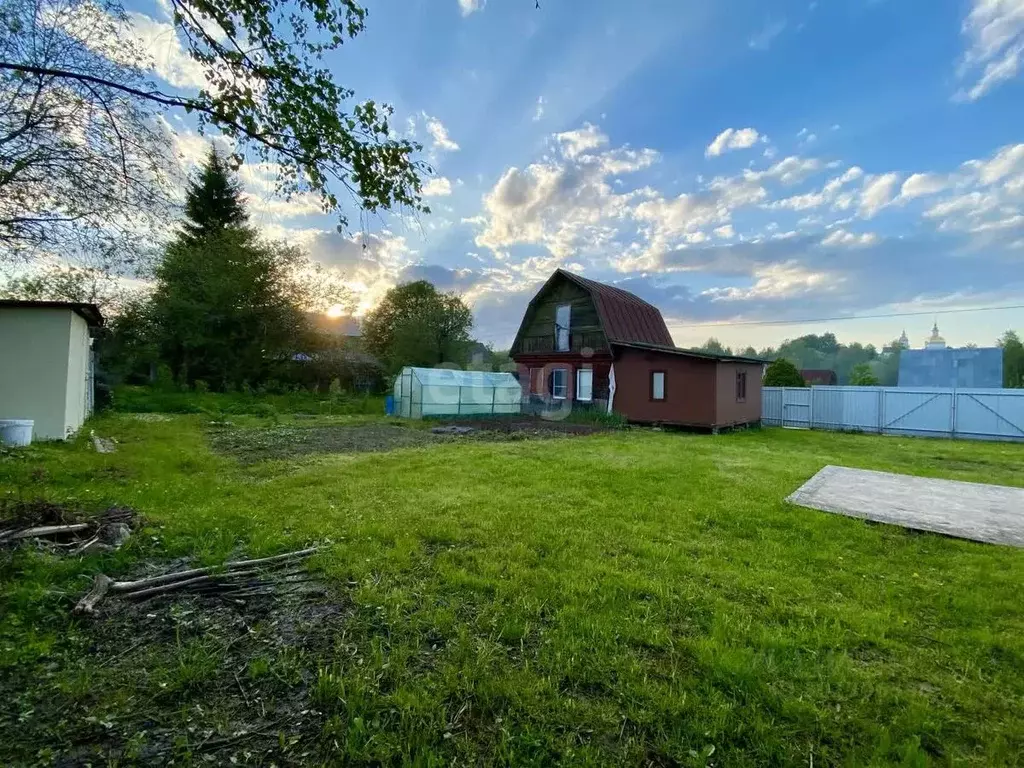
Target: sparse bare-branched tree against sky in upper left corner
{"points": [[82, 163]]}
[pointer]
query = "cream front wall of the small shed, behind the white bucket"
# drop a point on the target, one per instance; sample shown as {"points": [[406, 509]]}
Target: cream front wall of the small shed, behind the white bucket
{"points": [[35, 348]]}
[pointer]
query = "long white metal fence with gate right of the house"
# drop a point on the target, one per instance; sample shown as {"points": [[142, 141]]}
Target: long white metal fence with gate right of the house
{"points": [[934, 412]]}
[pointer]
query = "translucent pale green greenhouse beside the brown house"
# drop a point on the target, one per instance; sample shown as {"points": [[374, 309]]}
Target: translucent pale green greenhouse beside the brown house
{"points": [[439, 392]]}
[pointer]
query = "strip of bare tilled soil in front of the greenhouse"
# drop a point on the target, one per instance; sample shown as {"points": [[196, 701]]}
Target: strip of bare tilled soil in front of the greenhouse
{"points": [[251, 446]]}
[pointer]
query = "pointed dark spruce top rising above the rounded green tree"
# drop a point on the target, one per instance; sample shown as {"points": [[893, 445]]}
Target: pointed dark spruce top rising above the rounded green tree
{"points": [[214, 201]]}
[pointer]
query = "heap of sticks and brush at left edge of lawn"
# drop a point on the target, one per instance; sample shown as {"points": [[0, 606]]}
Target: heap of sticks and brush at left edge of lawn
{"points": [[66, 532]]}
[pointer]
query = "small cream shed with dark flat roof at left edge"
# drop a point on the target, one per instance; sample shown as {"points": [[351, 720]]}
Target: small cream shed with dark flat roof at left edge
{"points": [[47, 365]]}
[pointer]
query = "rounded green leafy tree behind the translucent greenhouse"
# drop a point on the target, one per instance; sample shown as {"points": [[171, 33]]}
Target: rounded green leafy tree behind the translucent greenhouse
{"points": [[415, 325]]}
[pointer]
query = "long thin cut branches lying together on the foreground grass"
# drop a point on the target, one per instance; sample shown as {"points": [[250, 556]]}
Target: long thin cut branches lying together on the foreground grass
{"points": [[238, 580]]}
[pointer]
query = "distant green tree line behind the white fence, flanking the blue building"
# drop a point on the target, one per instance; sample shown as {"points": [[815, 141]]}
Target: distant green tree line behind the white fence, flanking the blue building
{"points": [[826, 352]]}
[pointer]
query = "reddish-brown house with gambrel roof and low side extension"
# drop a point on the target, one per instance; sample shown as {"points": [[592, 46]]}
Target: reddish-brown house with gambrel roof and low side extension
{"points": [[587, 345]]}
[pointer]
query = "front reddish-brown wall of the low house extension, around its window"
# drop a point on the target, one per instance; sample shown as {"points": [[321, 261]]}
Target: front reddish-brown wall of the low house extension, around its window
{"points": [[690, 389]]}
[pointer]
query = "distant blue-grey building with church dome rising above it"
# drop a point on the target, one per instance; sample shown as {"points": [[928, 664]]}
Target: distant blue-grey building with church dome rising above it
{"points": [[940, 366]]}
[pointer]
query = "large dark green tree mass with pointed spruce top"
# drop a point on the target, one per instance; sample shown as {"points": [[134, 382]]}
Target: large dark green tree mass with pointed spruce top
{"points": [[230, 308]]}
